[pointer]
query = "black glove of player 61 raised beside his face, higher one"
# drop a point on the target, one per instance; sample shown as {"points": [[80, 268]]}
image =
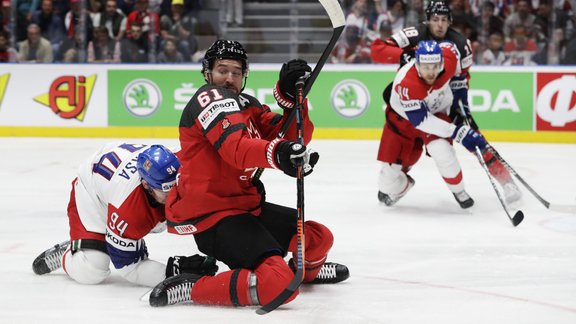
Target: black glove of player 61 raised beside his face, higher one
{"points": [[285, 90]]}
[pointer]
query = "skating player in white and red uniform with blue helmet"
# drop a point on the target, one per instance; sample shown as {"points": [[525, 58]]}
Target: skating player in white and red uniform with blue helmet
{"points": [[417, 116]]}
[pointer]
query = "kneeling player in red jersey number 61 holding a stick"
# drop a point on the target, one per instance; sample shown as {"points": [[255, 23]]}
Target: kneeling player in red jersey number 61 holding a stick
{"points": [[225, 135]]}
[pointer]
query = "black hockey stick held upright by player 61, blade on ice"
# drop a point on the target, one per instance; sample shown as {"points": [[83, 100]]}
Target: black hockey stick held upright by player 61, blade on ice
{"points": [[299, 275]]}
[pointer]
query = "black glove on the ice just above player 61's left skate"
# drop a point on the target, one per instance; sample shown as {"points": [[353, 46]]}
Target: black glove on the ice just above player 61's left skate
{"points": [[197, 264]]}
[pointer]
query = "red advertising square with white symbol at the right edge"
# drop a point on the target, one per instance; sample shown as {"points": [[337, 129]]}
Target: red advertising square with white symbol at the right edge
{"points": [[556, 101]]}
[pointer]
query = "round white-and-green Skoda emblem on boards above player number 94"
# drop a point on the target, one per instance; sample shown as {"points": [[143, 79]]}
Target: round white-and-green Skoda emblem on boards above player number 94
{"points": [[142, 98]]}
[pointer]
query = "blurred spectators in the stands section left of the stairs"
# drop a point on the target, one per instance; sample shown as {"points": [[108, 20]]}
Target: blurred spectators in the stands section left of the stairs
{"points": [[99, 31]]}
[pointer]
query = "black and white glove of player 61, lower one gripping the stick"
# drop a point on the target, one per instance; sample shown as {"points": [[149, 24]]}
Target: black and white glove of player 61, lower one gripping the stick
{"points": [[287, 155]]}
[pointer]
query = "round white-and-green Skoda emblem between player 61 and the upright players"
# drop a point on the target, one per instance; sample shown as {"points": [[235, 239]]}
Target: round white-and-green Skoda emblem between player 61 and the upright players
{"points": [[350, 98]]}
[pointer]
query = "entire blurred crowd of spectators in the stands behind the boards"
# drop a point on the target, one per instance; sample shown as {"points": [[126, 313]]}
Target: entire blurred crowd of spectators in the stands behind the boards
{"points": [[502, 32]]}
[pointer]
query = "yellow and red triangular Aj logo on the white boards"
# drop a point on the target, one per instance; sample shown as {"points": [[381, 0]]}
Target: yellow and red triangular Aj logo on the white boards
{"points": [[68, 96]]}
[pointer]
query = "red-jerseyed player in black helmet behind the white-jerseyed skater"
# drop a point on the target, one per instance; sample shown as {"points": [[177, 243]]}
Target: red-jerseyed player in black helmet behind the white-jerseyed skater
{"points": [[399, 48]]}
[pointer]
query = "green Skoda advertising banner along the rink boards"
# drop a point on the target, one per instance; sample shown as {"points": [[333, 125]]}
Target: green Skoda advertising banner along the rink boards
{"points": [[339, 99]]}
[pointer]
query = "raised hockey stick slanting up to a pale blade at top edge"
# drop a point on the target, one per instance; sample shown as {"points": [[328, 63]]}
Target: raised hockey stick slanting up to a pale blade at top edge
{"points": [[336, 15]]}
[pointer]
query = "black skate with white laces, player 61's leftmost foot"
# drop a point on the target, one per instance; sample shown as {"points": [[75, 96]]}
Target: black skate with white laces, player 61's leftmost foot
{"points": [[173, 290]]}
